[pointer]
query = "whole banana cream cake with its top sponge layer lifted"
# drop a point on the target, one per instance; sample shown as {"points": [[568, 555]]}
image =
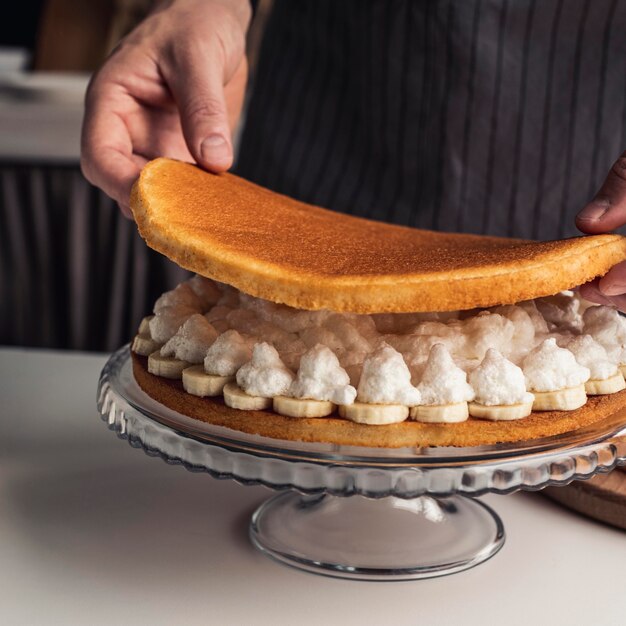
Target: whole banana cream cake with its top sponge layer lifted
{"points": [[304, 324]]}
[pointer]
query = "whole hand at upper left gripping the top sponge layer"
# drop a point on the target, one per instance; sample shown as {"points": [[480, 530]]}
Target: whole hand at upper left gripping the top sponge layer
{"points": [[173, 87]]}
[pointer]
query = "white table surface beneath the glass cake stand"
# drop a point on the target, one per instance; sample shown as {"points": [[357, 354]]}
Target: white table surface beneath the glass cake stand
{"points": [[95, 532]]}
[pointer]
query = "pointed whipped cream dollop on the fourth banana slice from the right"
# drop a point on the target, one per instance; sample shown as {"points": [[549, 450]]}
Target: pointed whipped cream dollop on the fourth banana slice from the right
{"points": [[442, 381]]}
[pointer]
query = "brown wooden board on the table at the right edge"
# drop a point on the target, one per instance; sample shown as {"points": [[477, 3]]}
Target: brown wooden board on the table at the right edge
{"points": [[602, 497]]}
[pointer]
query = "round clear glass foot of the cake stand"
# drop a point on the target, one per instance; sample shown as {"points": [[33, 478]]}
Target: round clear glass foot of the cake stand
{"points": [[384, 539]]}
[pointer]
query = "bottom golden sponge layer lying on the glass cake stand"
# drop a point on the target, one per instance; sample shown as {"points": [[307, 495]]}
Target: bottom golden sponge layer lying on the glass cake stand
{"points": [[471, 433]]}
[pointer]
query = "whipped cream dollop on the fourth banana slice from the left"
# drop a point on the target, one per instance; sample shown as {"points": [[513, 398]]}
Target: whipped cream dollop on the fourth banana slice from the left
{"points": [[265, 374]]}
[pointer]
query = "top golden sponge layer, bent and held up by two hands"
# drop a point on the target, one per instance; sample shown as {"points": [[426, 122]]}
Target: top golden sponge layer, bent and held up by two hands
{"points": [[274, 247]]}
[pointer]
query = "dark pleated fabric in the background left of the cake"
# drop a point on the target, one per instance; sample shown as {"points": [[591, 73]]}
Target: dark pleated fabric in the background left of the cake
{"points": [[74, 273]]}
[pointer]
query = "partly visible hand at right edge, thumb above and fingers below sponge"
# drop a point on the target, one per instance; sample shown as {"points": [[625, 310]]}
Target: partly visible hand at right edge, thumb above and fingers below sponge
{"points": [[606, 212]]}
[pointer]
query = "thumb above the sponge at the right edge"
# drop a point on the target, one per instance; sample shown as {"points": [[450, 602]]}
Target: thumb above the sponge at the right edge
{"points": [[607, 210]]}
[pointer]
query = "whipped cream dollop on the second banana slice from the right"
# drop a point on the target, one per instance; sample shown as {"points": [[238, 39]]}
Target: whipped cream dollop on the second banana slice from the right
{"points": [[549, 368]]}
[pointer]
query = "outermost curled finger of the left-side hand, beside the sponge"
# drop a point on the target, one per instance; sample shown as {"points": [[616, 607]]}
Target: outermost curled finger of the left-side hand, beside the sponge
{"points": [[106, 148]]}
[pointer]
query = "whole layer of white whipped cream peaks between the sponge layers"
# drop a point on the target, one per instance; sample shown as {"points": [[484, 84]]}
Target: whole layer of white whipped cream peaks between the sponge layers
{"points": [[407, 358]]}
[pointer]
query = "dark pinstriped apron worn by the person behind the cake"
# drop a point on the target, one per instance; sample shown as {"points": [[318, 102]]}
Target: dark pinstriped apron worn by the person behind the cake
{"points": [[481, 116]]}
